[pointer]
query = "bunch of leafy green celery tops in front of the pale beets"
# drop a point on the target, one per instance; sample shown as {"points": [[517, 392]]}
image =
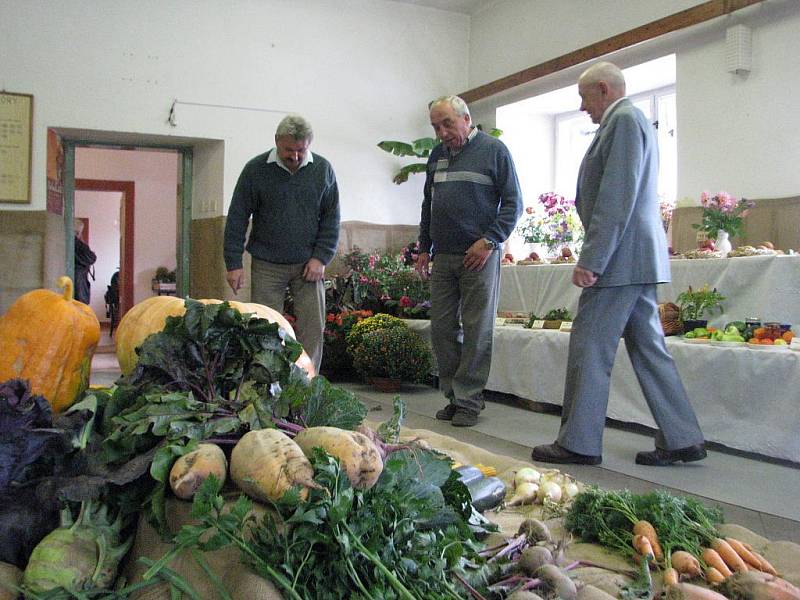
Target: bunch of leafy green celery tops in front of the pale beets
{"points": [[400, 539]]}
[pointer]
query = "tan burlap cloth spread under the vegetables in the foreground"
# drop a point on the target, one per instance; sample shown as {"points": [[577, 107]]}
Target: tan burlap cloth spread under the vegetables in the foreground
{"points": [[610, 574]]}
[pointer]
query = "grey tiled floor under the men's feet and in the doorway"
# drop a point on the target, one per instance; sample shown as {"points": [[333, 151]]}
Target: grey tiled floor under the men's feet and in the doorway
{"points": [[759, 495]]}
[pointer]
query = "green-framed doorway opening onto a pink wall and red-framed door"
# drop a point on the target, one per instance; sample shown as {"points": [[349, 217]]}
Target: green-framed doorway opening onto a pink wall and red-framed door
{"points": [[150, 187]]}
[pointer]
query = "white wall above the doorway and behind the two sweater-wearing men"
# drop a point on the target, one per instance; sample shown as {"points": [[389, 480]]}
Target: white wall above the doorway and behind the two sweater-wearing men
{"points": [[361, 70]]}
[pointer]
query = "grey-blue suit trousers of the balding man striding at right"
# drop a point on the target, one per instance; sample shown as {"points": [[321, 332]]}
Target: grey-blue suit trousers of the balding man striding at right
{"points": [[604, 315]]}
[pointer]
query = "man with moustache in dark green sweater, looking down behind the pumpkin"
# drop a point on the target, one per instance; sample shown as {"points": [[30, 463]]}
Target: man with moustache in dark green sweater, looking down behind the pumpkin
{"points": [[293, 199]]}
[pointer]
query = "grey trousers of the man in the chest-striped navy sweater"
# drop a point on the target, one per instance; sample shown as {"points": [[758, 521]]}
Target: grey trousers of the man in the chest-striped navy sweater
{"points": [[463, 312]]}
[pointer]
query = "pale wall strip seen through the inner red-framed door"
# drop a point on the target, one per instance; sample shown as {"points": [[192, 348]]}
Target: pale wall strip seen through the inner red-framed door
{"points": [[102, 210]]}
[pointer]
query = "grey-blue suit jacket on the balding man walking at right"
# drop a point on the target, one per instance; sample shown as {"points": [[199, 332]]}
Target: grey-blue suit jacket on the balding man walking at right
{"points": [[617, 201]]}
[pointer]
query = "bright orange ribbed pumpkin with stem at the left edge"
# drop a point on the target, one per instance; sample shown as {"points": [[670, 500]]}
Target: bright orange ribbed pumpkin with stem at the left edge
{"points": [[49, 339]]}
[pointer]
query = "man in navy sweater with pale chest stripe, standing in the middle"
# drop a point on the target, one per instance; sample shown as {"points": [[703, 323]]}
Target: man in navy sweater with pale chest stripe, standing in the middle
{"points": [[471, 204]]}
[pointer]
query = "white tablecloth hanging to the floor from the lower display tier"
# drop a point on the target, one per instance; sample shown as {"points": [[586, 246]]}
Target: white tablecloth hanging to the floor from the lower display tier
{"points": [[744, 398]]}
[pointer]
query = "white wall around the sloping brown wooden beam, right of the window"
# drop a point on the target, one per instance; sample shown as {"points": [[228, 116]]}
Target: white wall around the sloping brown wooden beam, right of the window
{"points": [[737, 133]]}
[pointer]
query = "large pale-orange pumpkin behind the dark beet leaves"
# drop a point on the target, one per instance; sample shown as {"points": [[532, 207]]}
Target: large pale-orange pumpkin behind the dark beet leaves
{"points": [[150, 316]]}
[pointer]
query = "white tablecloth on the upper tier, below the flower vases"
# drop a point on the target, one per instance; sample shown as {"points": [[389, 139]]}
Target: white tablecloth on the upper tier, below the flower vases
{"points": [[758, 286]]}
